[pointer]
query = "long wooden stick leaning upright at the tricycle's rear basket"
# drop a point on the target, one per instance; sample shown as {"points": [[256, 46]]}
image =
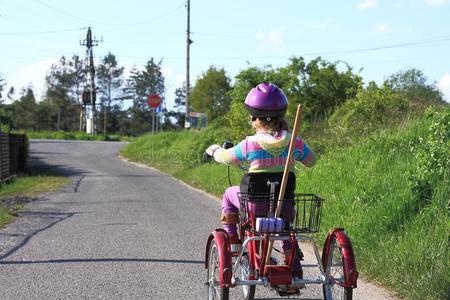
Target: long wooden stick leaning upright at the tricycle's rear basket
{"points": [[286, 172]]}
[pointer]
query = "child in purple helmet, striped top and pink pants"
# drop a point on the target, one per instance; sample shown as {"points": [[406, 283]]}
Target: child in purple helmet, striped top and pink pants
{"points": [[266, 152]]}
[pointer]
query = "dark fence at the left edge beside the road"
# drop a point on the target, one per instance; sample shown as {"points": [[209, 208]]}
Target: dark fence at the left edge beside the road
{"points": [[13, 155]]}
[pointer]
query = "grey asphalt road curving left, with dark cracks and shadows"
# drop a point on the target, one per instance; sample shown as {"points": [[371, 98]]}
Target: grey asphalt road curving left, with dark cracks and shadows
{"points": [[118, 231]]}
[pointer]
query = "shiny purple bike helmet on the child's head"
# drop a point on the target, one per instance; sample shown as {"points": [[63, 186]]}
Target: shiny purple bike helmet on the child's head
{"points": [[266, 100]]}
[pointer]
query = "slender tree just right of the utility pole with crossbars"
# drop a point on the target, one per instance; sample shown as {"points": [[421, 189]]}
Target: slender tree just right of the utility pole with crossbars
{"points": [[109, 82]]}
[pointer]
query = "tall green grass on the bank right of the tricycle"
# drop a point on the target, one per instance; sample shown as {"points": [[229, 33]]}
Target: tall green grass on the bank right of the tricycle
{"points": [[398, 240]]}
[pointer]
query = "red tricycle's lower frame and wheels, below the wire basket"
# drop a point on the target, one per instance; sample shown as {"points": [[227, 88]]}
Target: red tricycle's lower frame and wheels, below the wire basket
{"points": [[248, 268]]}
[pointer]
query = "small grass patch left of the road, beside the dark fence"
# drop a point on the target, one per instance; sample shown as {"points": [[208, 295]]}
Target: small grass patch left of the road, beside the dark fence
{"points": [[28, 186]]}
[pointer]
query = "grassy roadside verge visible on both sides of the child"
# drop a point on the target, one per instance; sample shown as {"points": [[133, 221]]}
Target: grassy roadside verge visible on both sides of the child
{"points": [[399, 240]]}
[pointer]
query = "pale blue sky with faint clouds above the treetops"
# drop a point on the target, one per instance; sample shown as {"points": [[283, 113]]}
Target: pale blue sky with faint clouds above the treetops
{"points": [[376, 37]]}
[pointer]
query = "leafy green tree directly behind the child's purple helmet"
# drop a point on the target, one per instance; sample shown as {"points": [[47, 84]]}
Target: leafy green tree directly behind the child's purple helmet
{"points": [[317, 85]]}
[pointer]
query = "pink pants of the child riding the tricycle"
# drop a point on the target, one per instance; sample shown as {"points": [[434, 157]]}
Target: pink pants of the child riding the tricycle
{"points": [[230, 204]]}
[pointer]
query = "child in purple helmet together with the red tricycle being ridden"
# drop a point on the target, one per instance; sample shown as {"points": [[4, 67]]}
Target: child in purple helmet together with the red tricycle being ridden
{"points": [[265, 209]]}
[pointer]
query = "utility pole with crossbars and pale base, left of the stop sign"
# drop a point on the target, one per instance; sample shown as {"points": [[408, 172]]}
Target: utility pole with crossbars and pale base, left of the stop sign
{"points": [[89, 99]]}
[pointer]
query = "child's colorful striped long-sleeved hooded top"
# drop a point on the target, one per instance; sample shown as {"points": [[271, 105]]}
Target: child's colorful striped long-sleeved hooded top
{"points": [[266, 153]]}
